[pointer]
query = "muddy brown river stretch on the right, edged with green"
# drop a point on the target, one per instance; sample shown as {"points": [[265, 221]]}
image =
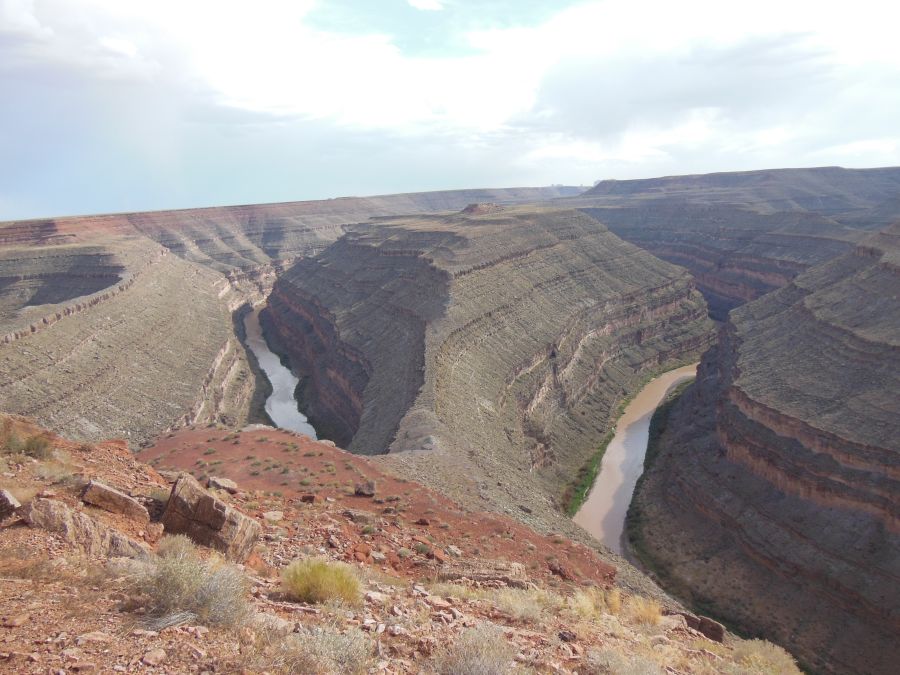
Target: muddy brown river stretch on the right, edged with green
{"points": [[603, 513]]}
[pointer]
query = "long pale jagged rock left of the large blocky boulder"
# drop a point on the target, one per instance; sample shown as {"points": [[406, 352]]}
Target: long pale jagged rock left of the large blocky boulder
{"points": [[81, 530]]}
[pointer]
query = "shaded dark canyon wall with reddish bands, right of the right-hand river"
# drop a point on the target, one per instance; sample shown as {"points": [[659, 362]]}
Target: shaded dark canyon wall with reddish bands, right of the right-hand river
{"points": [[773, 500]]}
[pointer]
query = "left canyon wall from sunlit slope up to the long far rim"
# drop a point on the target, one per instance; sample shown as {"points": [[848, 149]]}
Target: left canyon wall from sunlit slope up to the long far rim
{"points": [[127, 324]]}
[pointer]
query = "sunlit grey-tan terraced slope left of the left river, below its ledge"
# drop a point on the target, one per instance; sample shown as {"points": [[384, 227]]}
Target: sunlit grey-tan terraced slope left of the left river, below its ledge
{"points": [[131, 361]]}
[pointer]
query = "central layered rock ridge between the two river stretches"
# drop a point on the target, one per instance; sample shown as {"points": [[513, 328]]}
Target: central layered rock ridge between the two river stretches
{"points": [[486, 351]]}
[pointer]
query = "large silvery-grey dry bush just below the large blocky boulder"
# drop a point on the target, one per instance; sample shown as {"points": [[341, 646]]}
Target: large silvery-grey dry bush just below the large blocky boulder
{"points": [[180, 587]]}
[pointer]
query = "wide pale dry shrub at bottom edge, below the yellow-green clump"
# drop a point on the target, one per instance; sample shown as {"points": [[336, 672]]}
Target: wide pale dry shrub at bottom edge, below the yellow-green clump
{"points": [[322, 650]]}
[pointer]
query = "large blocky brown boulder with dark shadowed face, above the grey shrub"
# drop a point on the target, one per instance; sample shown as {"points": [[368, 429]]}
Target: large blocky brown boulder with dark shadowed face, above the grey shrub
{"points": [[209, 521]]}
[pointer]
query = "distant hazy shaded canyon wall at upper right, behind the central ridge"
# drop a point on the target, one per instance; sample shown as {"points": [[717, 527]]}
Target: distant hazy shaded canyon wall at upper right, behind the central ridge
{"points": [[744, 234]]}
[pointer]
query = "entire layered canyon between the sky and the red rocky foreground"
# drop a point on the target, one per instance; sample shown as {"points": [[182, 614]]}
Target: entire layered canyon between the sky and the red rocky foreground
{"points": [[483, 342]]}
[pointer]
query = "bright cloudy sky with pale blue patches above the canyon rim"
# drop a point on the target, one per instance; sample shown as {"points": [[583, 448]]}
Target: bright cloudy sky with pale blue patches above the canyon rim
{"points": [[124, 105]]}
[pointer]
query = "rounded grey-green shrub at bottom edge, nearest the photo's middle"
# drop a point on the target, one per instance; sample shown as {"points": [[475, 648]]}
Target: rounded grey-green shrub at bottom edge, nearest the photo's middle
{"points": [[483, 650]]}
